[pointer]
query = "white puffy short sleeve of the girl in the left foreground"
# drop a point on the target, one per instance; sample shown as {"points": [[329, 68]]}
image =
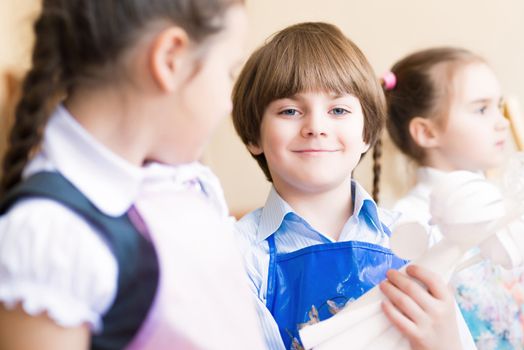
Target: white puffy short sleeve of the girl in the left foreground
{"points": [[52, 260]]}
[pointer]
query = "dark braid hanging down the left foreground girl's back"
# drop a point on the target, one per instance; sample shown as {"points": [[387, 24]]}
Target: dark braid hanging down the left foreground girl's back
{"points": [[41, 89]]}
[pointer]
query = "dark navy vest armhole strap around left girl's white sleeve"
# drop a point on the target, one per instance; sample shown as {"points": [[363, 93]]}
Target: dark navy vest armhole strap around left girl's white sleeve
{"points": [[138, 268]]}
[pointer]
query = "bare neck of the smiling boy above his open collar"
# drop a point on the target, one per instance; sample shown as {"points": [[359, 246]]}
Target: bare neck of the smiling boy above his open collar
{"points": [[326, 211]]}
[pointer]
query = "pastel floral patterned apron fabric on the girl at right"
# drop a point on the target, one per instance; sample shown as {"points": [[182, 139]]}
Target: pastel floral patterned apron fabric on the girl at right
{"points": [[491, 300]]}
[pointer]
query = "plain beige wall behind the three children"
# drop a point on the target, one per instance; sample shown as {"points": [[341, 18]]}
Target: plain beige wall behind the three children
{"points": [[385, 30]]}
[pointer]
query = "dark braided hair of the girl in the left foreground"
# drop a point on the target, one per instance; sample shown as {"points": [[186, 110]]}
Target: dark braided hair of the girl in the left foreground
{"points": [[81, 41]]}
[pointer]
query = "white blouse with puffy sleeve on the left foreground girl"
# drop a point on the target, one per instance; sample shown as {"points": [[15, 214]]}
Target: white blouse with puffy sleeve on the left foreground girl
{"points": [[50, 258]]}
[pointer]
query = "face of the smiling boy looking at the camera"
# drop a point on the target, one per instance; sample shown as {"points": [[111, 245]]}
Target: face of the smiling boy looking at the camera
{"points": [[312, 141]]}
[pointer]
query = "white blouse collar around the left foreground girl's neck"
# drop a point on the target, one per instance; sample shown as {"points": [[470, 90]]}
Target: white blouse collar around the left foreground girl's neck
{"points": [[108, 181]]}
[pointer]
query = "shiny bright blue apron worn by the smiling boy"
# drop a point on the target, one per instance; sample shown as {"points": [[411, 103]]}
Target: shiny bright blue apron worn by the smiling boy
{"points": [[311, 283]]}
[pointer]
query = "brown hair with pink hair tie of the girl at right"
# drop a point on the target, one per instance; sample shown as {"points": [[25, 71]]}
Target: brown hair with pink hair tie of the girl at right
{"points": [[419, 85]]}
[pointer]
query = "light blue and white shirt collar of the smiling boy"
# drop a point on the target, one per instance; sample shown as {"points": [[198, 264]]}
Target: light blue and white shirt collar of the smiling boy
{"points": [[276, 209]]}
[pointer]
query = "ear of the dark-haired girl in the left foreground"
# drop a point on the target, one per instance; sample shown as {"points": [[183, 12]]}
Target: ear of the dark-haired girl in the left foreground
{"points": [[166, 55]]}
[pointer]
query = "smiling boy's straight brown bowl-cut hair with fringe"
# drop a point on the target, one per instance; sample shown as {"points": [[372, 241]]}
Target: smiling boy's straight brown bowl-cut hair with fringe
{"points": [[302, 58]]}
